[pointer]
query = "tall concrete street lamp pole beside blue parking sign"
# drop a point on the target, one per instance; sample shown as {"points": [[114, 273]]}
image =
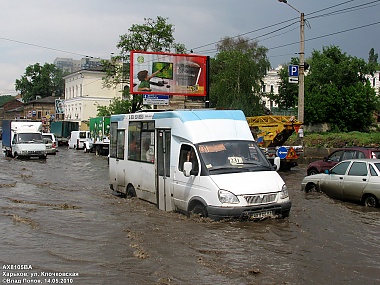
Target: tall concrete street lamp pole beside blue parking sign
{"points": [[301, 76]]}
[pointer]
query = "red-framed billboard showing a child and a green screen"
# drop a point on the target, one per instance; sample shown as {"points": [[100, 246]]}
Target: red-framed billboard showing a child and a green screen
{"points": [[168, 74]]}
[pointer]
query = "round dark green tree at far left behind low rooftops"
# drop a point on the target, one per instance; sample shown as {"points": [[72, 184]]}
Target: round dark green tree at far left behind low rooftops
{"points": [[40, 80]]}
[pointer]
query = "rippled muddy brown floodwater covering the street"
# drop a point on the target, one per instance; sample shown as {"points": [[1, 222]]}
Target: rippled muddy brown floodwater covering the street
{"points": [[61, 224]]}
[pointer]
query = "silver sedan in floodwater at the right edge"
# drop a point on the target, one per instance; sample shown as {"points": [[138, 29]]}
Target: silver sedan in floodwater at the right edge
{"points": [[356, 180]]}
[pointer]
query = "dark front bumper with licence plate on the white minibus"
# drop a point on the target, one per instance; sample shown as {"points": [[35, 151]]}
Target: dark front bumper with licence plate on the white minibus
{"points": [[250, 212]]}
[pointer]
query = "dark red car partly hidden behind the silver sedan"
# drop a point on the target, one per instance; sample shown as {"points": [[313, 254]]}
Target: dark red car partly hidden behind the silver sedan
{"points": [[320, 166]]}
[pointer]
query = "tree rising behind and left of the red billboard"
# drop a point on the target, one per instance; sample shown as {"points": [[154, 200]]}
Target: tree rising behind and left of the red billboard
{"points": [[155, 35]]}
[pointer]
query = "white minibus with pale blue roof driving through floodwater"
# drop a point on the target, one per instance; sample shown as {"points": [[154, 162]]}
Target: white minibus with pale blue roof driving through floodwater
{"points": [[195, 161]]}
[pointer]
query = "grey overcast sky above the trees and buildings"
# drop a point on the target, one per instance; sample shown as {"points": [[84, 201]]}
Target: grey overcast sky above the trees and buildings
{"points": [[42, 30]]}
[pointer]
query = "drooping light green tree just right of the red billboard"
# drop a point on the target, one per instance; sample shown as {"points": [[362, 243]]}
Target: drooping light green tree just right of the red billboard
{"points": [[236, 73]]}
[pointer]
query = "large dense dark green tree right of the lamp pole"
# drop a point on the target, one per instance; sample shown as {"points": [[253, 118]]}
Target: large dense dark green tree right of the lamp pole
{"points": [[337, 91]]}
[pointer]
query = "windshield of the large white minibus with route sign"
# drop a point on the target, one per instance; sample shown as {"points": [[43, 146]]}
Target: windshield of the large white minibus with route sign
{"points": [[233, 156]]}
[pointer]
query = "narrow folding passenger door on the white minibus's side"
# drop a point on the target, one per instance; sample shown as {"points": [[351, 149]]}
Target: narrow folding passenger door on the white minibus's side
{"points": [[163, 170]]}
